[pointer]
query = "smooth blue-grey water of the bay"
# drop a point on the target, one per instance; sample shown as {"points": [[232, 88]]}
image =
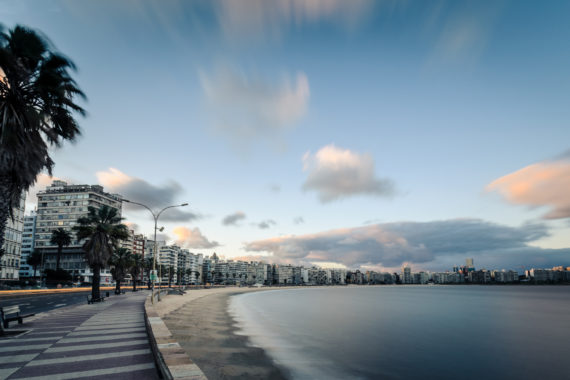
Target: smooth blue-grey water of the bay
{"points": [[412, 332]]}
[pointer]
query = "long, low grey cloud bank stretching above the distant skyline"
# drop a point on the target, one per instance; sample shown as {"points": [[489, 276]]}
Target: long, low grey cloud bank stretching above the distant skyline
{"points": [[436, 245]]}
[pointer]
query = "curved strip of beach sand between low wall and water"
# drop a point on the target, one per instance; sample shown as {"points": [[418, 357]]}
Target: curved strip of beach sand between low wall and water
{"points": [[201, 324]]}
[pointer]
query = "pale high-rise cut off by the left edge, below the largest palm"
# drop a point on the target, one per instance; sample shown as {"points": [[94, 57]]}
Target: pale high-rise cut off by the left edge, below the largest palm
{"points": [[10, 263]]}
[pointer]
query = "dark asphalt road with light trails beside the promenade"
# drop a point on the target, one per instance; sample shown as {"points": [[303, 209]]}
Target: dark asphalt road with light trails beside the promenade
{"points": [[46, 302]]}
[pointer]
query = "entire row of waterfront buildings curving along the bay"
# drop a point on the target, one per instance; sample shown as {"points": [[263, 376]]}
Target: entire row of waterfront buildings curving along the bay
{"points": [[60, 205]]}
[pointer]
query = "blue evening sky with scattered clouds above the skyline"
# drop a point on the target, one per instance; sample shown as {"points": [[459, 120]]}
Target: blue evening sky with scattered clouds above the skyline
{"points": [[360, 134]]}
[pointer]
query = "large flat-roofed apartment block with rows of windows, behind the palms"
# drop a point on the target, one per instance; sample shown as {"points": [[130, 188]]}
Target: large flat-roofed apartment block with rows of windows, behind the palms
{"points": [[59, 206]]}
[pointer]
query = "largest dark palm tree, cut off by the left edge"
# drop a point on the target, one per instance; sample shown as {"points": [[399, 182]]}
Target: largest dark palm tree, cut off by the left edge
{"points": [[37, 112]]}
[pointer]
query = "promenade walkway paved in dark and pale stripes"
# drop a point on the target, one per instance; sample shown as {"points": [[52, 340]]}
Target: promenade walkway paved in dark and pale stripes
{"points": [[100, 341]]}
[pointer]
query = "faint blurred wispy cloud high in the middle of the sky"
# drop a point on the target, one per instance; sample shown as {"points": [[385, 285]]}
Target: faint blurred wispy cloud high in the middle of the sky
{"points": [[248, 108]]}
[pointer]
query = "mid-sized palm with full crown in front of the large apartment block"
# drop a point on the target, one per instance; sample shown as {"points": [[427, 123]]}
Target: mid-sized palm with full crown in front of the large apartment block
{"points": [[103, 229]]}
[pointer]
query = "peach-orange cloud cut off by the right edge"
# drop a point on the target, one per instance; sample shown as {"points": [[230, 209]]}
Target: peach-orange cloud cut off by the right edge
{"points": [[544, 184]]}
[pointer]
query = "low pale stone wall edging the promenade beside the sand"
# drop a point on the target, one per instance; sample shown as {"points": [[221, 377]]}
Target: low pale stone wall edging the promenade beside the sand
{"points": [[171, 359]]}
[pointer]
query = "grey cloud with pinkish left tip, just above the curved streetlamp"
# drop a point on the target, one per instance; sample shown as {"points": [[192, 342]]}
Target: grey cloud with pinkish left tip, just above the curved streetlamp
{"points": [[141, 191]]}
